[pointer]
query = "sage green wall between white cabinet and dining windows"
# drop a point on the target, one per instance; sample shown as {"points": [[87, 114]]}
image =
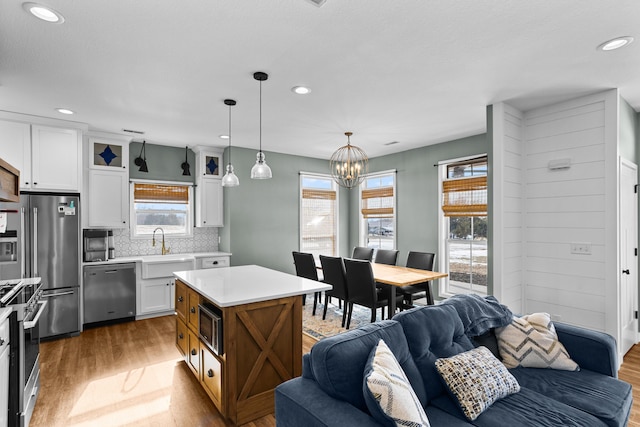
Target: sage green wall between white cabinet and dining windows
{"points": [[261, 217]]}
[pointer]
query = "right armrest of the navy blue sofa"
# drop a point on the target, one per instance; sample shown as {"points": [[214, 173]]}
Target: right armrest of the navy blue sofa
{"points": [[592, 350]]}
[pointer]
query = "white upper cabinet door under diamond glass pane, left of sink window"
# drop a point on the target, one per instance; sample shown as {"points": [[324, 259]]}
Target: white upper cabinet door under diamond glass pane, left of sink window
{"points": [[108, 198]]}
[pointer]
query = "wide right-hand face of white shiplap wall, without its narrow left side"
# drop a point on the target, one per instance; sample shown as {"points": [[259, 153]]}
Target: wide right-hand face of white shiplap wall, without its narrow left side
{"points": [[563, 207]]}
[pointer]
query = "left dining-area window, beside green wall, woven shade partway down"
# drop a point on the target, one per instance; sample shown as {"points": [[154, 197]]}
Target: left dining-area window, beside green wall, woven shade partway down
{"points": [[318, 215]]}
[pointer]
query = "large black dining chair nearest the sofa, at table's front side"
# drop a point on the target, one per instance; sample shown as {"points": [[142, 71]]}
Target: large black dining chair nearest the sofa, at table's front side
{"points": [[362, 290]]}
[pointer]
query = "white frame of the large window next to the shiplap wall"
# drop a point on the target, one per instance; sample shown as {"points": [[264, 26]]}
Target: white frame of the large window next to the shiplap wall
{"points": [[443, 225]]}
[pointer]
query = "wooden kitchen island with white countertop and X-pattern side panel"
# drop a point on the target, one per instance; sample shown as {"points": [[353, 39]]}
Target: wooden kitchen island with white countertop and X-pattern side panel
{"points": [[257, 313]]}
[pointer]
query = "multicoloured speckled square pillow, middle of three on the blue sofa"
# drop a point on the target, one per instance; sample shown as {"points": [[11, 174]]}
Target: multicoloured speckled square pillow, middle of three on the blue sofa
{"points": [[476, 379]]}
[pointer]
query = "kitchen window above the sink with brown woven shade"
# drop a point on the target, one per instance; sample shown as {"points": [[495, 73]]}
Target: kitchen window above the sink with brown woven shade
{"points": [[167, 206]]}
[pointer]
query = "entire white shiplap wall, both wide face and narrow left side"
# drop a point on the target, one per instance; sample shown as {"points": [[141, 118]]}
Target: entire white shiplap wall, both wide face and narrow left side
{"points": [[558, 208]]}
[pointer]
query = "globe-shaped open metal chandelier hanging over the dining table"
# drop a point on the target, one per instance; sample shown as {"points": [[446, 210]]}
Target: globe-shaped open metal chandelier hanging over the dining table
{"points": [[349, 164]]}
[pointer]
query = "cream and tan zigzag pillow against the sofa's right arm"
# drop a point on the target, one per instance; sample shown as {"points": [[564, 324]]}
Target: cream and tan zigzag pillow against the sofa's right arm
{"points": [[531, 341]]}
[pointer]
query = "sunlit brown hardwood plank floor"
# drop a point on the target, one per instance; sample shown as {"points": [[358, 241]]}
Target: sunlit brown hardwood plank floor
{"points": [[131, 374]]}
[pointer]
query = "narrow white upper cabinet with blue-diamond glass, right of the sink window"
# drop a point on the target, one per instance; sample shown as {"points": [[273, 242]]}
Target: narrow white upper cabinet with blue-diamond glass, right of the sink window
{"points": [[209, 195]]}
